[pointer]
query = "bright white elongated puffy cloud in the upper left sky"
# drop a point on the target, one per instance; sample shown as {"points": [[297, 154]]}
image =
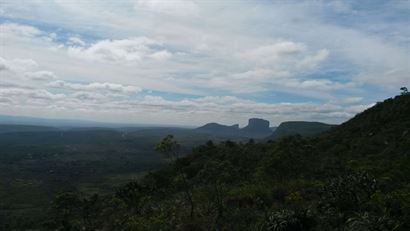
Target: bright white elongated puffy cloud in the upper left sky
{"points": [[123, 50]]}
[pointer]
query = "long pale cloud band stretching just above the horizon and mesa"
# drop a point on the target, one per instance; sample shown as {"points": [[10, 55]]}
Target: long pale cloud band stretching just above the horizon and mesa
{"points": [[225, 109]]}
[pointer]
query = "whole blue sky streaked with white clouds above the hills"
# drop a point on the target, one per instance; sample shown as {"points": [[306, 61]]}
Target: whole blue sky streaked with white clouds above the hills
{"points": [[189, 62]]}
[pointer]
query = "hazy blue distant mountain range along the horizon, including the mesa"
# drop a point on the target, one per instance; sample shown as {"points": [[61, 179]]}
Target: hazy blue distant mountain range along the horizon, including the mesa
{"points": [[256, 128]]}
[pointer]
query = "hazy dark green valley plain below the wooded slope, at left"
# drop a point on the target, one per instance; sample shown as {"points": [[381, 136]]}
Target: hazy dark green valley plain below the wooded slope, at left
{"points": [[37, 162]]}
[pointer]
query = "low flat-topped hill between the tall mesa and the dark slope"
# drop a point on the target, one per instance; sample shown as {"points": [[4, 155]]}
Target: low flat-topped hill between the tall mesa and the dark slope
{"points": [[299, 127]]}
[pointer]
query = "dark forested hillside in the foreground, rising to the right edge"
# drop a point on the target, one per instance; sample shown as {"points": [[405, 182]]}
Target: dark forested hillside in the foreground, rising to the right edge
{"points": [[355, 176]]}
